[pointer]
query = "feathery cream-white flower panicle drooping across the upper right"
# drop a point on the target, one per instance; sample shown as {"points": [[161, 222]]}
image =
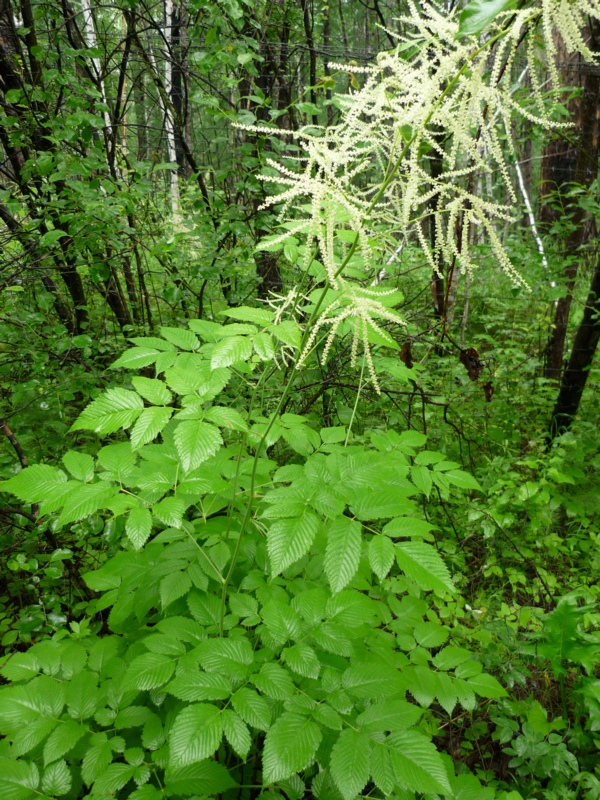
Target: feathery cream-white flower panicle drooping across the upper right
{"points": [[442, 95]]}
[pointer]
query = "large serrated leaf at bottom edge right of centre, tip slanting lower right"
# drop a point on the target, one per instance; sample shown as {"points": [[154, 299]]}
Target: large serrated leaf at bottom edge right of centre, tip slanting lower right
{"points": [[417, 764]]}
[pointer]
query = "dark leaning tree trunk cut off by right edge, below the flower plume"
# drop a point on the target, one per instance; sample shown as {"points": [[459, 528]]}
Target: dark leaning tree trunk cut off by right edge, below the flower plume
{"points": [[580, 361]]}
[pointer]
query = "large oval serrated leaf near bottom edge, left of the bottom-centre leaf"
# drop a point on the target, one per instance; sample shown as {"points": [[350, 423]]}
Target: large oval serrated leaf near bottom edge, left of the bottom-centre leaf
{"points": [[195, 734]]}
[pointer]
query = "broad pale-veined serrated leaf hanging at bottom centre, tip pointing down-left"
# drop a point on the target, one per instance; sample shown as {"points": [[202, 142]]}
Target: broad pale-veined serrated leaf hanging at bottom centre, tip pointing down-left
{"points": [[290, 746]]}
